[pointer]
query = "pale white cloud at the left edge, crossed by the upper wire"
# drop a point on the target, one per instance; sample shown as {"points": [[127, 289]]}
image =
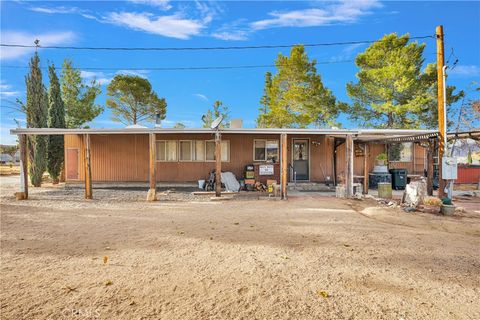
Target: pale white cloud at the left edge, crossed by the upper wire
{"points": [[46, 39]]}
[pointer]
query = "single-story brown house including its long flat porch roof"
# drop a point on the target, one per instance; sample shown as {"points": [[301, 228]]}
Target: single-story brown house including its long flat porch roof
{"points": [[187, 155]]}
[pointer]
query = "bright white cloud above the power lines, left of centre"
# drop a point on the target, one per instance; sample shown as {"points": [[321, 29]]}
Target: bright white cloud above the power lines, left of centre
{"points": [[174, 26]]}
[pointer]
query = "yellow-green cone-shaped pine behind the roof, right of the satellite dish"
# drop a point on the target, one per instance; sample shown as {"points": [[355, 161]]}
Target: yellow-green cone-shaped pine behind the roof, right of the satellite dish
{"points": [[295, 96]]}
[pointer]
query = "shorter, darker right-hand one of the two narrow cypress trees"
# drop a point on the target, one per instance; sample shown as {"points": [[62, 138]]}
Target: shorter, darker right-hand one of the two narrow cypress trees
{"points": [[56, 119]]}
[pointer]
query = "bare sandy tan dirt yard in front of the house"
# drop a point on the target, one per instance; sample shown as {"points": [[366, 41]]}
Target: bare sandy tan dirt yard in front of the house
{"points": [[119, 257]]}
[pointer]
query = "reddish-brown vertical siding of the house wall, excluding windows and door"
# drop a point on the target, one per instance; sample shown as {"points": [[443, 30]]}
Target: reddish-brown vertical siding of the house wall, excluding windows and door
{"points": [[124, 158]]}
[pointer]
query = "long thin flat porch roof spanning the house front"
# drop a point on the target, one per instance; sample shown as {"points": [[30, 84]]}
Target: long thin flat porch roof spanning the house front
{"points": [[359, 134]]}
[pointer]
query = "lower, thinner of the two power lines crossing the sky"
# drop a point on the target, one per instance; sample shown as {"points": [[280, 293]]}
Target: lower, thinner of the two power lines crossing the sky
{"points": [[183, 68]]}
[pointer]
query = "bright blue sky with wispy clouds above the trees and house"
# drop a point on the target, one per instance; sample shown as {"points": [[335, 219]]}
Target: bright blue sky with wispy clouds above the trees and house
{"points": [[189, 93]]}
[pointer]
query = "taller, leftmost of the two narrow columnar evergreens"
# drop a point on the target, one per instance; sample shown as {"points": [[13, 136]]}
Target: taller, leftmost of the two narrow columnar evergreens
{"points": [[37, 109]]}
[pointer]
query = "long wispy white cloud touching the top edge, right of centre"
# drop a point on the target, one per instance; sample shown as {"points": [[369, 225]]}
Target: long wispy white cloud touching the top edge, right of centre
{"points": [[344, 11]]}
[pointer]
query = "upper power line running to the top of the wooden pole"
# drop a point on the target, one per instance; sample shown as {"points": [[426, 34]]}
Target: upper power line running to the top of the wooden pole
{"points": [[200, 48]]}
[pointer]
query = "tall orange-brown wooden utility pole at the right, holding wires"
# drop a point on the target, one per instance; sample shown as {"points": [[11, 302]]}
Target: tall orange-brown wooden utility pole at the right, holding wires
{"points": [[441, 108]]}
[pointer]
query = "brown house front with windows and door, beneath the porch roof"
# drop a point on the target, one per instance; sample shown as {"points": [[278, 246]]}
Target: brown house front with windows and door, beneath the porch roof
{"points": [[188, 155]]}
